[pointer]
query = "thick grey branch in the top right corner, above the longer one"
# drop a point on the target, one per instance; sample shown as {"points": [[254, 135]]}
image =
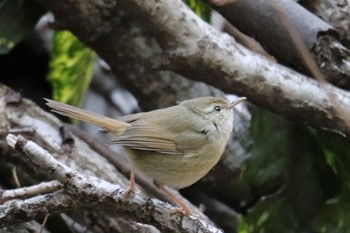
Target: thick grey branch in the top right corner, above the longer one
{"points": [[274, 36]]}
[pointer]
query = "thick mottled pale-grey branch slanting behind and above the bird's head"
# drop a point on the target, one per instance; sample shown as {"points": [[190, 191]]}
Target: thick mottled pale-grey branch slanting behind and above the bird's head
{"points": [[192, 48]]}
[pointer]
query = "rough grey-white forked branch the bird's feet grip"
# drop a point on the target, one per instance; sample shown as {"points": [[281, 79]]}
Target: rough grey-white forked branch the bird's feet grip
{"points": [[91, 191]]}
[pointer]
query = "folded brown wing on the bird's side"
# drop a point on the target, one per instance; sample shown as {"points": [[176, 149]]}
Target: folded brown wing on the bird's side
{"points": [[167, 136]]}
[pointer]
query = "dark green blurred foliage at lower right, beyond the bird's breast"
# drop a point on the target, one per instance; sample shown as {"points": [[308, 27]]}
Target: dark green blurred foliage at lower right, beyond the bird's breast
{"points": [[292, 178]]}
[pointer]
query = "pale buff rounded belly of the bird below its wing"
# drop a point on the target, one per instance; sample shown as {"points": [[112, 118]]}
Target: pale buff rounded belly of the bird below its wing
{"points": [[177, 171]]}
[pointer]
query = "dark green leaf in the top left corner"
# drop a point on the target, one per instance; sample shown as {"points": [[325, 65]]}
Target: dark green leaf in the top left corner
{"points": [[17, 20]]}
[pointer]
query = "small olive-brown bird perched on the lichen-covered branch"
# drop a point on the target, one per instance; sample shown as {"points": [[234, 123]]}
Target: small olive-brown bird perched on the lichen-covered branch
{"points": [[175, 146]]}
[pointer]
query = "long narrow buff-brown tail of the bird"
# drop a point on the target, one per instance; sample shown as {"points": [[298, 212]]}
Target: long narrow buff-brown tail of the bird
{"points": [[115, 126]]}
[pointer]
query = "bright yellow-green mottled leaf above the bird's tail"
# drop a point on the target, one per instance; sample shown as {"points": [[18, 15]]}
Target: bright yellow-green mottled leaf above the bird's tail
{"points": [[71, 68]]}
